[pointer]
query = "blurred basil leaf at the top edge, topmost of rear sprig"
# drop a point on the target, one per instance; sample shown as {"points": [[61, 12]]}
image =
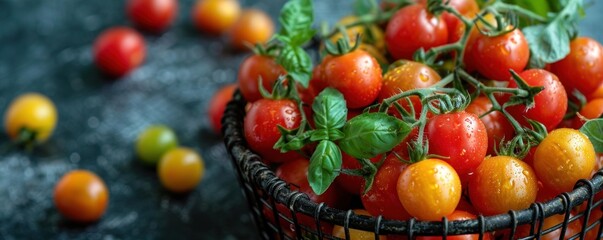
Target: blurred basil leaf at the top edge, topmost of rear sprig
{"points": [[296, 21]]}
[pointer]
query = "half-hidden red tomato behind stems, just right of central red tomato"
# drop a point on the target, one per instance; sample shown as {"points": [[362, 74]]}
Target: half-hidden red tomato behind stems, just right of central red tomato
{"points": [[497, 126]]}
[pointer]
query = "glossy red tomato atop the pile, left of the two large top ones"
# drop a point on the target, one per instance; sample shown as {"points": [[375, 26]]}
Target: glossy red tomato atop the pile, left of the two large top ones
{"points": [[412, 28]]}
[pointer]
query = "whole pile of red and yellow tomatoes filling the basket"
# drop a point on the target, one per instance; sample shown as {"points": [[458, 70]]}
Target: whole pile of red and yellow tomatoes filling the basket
{"points": [[501, 147]]}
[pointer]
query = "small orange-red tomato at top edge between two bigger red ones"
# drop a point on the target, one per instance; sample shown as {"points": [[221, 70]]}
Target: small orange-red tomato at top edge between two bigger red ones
{"points": [[456, 28]]}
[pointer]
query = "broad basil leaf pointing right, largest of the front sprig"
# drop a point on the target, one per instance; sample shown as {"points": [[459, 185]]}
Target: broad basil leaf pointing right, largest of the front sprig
{"points": [[370, 134]]}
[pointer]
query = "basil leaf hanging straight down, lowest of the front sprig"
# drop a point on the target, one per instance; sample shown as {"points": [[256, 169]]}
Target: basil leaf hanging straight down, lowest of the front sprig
{"points": [[324, 167]]}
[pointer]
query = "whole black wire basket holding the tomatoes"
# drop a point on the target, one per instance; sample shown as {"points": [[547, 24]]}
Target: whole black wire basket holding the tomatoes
{"points": [[263, 190]]}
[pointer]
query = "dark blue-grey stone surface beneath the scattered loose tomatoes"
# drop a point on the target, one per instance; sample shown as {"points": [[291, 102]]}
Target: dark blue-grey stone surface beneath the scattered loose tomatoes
{"points": [[45, 46]]}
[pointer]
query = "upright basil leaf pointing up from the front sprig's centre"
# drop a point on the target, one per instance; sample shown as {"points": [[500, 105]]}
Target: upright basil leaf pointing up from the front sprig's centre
{"points": [[330, 111]]}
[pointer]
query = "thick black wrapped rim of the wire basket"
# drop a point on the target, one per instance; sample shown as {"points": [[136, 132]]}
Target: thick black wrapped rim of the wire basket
{"points": [[250, 165]]}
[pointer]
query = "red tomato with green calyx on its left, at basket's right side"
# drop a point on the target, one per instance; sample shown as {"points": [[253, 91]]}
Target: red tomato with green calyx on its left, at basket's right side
{"points": [[549, 105]]}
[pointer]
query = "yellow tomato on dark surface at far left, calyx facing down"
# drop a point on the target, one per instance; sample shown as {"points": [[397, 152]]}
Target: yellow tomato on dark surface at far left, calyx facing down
{"points": [[30, 117]]}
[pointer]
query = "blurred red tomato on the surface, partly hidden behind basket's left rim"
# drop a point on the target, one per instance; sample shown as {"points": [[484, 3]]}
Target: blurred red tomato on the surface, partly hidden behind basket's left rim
{"points": [[217, 105]]}
